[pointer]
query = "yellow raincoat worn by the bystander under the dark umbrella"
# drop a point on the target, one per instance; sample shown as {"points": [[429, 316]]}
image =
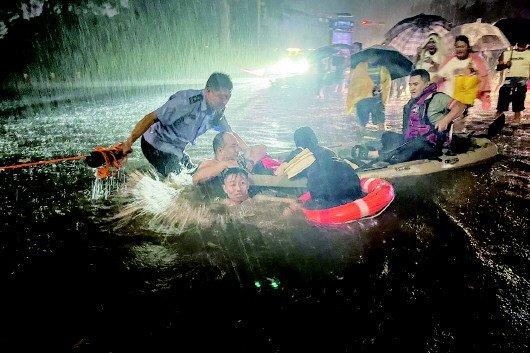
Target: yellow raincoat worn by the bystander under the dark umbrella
{"points": [[361, 85]]}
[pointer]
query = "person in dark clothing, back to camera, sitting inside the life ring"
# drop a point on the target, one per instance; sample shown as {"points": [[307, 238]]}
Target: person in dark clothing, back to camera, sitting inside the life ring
{"points": [[330, 179]]}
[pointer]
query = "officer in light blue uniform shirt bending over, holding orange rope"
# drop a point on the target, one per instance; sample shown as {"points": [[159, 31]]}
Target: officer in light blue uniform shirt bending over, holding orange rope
{"points": [[181, 120]]}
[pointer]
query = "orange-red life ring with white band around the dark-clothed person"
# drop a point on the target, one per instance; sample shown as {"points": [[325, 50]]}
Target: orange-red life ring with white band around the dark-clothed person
{"points": [[379, 195]]}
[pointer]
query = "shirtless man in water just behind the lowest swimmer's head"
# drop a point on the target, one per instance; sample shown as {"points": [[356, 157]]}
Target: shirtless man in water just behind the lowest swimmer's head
{"points": [[228, 154]]}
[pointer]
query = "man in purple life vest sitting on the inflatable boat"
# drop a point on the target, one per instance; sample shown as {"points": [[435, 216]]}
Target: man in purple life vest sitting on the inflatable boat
{"points": [[427, 118]]}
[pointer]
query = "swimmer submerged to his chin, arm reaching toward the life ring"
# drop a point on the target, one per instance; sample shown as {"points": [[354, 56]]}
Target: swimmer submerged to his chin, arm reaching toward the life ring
{"points": [[235, 184]]}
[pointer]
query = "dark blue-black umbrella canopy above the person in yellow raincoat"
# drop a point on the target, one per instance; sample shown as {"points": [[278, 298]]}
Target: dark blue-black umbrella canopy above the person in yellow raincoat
{"points": [[397, 64]]}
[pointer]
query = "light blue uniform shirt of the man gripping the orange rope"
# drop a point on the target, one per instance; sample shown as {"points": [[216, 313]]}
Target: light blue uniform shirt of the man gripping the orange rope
{"points": [[181, 120]]}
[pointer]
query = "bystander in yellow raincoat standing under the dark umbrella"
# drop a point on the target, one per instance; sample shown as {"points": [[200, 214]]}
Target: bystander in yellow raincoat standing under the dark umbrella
{"points": [[368, 92]]}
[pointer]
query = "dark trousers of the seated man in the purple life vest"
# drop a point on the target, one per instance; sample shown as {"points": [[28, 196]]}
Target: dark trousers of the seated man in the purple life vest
{"points": [[395, 151]]}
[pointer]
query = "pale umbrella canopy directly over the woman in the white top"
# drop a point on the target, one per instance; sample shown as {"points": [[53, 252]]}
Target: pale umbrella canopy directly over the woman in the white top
{"points": [[482, 36]]}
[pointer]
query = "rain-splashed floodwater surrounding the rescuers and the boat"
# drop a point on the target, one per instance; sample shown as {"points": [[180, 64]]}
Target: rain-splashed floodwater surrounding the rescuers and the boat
{"points": [[444, 269]]}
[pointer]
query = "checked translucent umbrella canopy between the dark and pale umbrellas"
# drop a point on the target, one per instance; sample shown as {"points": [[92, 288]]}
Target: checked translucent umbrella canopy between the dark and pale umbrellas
{"points": [[408, 35]]}
